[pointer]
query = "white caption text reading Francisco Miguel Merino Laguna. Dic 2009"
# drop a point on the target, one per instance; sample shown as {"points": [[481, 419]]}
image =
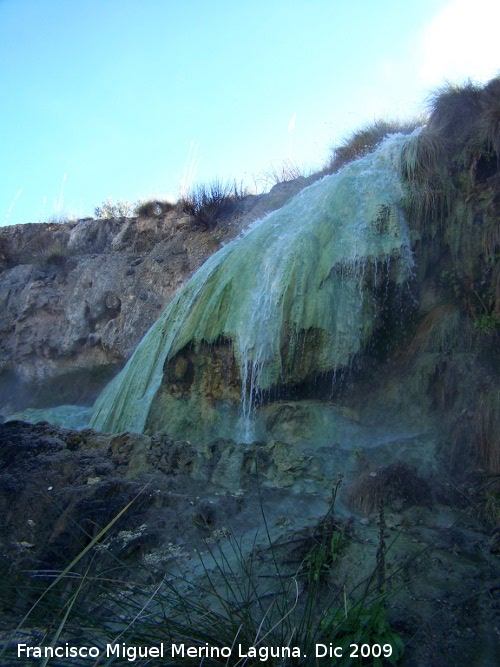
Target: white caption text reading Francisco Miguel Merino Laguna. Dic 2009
{"points": [[132, 653]]}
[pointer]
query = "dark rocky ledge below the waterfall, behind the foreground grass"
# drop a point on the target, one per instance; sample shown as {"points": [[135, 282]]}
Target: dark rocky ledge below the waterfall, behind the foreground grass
{"points": [[83, 479]]}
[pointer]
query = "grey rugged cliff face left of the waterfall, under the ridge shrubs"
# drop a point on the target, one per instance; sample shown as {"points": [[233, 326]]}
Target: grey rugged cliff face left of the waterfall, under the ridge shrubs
{"points": [[76, 298]]}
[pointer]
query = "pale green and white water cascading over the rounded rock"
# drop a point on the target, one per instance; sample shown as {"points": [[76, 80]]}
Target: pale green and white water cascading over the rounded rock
{"points": [[301, 269]]}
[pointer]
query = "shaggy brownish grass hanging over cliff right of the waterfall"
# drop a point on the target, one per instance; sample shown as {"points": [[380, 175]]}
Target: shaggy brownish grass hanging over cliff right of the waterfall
{"points": [[451, 171]]}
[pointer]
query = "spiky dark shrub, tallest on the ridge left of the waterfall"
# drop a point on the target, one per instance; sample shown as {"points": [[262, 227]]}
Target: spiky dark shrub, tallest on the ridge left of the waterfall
{"points": [[208, 204]]}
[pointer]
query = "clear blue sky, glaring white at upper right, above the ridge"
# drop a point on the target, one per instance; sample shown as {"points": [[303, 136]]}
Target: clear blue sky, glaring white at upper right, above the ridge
{"points": [[129, 99]]}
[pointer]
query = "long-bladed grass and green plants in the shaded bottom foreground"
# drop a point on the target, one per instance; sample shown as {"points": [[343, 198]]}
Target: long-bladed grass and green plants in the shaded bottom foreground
{"points": [[225, 599]]}
